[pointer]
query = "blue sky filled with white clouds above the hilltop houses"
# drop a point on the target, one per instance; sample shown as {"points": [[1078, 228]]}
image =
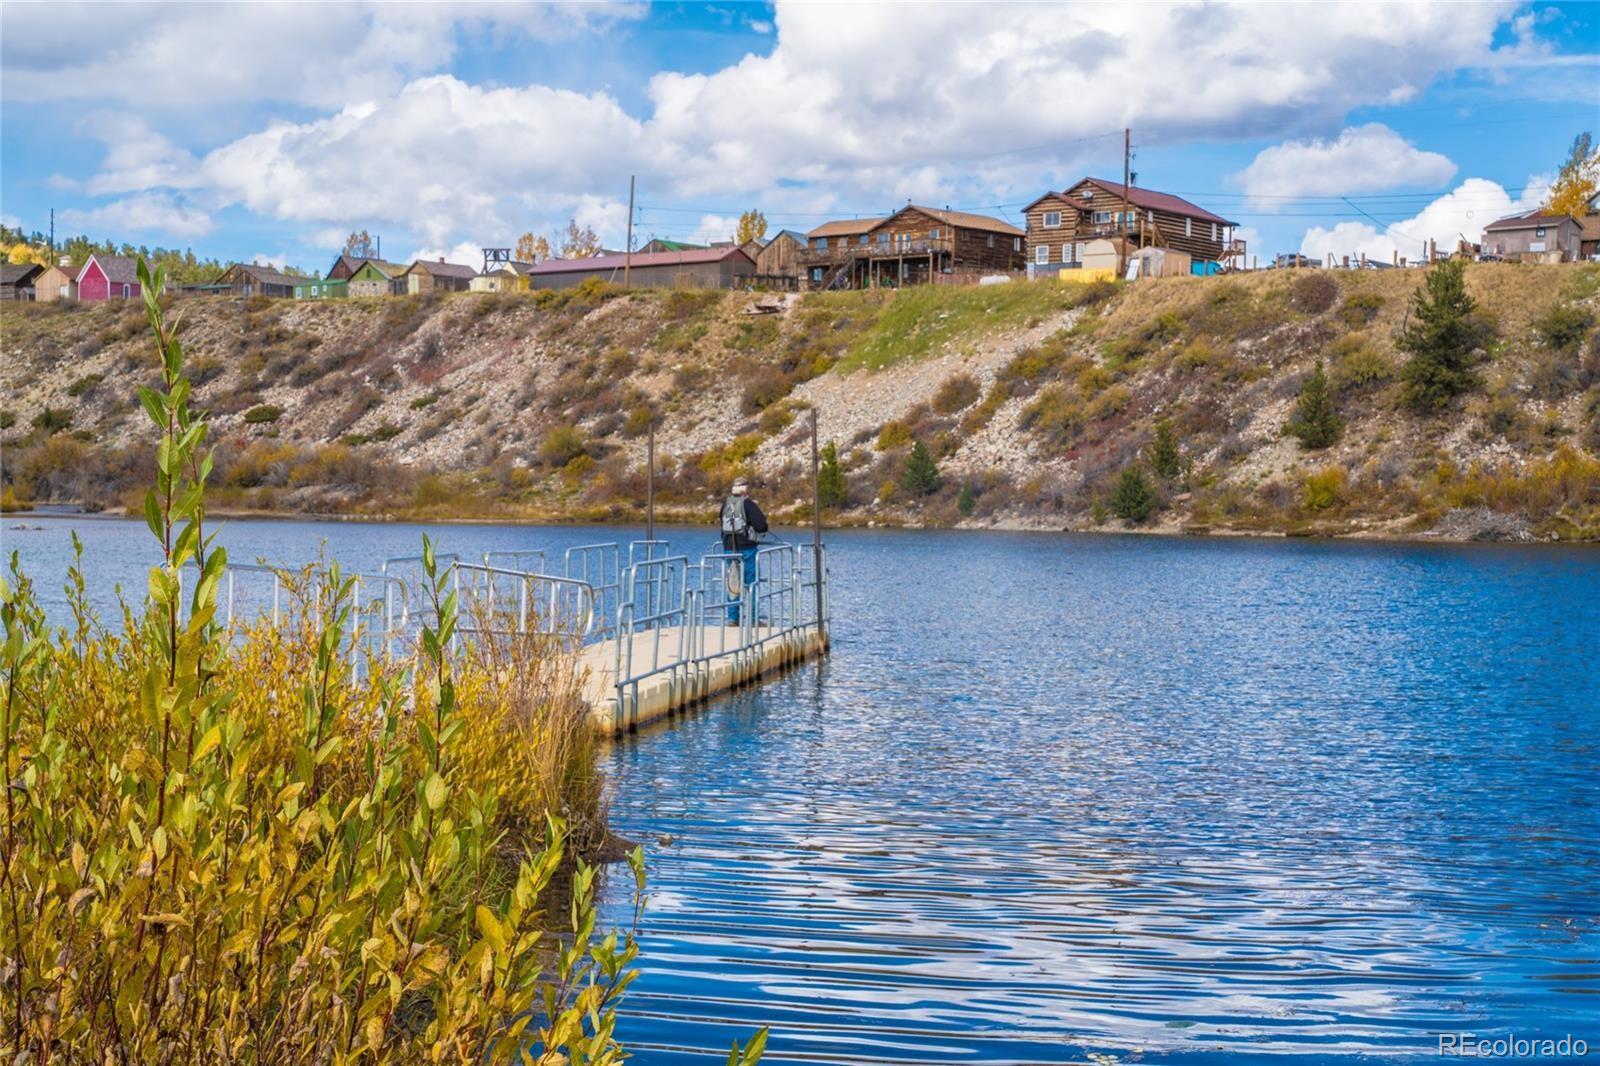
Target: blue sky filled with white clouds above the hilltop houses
{"points": [[268, 132]]}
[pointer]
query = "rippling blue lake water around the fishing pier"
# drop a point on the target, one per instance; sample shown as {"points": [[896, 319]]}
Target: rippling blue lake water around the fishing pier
{"points": [[1158, 799]]}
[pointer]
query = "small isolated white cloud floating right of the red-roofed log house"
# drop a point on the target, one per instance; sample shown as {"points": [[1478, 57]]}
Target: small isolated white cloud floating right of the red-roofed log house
{"points": [[1362, 159]]}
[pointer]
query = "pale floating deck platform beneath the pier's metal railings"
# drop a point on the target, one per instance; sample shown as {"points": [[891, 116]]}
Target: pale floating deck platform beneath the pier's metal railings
{"points": [[727, 665]]}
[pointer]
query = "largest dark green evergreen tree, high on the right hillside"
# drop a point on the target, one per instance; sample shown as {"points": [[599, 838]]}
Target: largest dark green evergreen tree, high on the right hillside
{"points": [[1441, 339]]}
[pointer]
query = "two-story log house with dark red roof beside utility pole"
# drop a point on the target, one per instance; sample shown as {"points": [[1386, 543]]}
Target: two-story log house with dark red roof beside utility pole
{"points": [[1062, 225]]}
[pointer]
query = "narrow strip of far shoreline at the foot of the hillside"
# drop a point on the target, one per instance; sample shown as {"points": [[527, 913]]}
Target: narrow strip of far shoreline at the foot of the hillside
{"points": [[894, 524]]}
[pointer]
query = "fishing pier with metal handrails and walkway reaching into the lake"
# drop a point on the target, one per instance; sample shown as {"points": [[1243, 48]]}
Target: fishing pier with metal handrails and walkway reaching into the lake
{"points": [[655, 631]]}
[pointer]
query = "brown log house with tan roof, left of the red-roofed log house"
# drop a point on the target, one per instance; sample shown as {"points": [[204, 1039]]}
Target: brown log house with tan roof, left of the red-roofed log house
{"points": [[913, 247]]}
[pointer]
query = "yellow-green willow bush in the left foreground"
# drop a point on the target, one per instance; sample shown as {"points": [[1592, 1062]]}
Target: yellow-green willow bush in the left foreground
{"points": [[233, 848]]}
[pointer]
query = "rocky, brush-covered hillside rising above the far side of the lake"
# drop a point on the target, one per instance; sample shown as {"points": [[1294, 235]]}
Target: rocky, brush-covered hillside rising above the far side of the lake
{"points": [[1031, 398]]}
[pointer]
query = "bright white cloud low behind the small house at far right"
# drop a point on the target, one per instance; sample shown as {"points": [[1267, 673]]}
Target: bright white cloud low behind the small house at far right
{"points": [[1463, 212]]}
